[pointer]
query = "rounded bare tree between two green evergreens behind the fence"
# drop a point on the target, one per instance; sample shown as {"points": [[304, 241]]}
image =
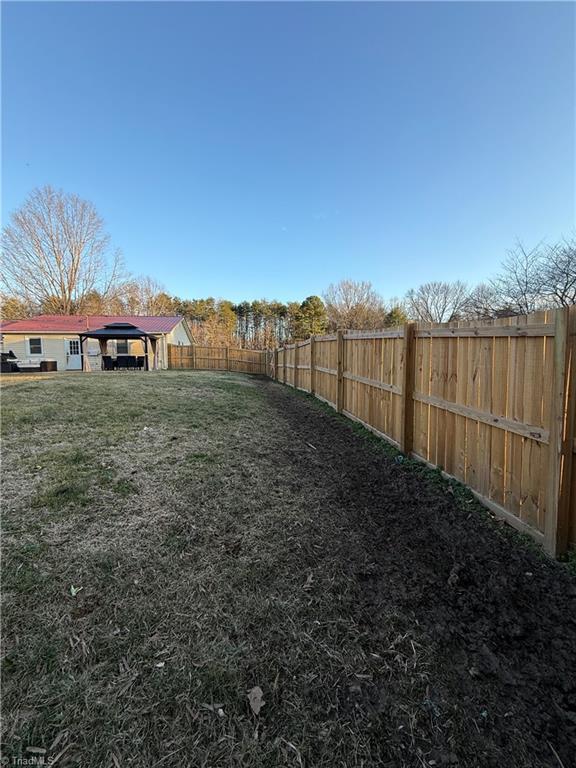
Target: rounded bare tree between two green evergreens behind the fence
{"points": [[355, 305]]}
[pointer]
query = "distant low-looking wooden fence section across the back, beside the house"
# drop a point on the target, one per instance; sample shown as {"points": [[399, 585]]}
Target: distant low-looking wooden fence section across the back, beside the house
{"points": [[218, 358]]}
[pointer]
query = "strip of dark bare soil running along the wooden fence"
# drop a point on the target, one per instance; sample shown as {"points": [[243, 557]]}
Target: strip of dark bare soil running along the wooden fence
{"points": [[496, 618]]}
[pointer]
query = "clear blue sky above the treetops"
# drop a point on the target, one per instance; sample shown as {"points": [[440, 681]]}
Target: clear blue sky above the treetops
{"points": [[265, 150]]}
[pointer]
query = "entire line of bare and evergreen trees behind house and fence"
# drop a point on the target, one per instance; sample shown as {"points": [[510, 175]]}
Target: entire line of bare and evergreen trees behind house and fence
{"points": [[57, 259]]}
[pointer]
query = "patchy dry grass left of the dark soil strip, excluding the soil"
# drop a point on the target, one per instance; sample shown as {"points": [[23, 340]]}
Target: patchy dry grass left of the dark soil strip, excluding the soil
{"points": [[173, 504]]}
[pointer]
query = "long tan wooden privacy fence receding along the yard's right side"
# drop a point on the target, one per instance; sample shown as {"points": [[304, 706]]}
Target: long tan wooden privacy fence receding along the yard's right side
{"points": [[492, 403]]}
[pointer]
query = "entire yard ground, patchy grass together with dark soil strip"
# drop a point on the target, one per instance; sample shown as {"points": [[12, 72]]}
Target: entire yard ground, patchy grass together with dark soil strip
{"points": [[172, 540]]}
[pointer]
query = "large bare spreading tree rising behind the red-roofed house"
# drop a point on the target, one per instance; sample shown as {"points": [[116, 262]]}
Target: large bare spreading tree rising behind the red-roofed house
{"points": [[55, 251]]}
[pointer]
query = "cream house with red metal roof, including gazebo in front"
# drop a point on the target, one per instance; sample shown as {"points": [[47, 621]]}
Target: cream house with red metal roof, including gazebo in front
{"points": [[66, 340]]}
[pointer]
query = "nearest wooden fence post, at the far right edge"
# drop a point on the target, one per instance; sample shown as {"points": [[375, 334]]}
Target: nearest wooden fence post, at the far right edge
{"points": [[560, 456]]}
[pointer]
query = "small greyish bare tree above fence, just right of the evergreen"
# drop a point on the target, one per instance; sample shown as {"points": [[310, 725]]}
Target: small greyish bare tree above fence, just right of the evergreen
{"points": [[438, 302]]}
